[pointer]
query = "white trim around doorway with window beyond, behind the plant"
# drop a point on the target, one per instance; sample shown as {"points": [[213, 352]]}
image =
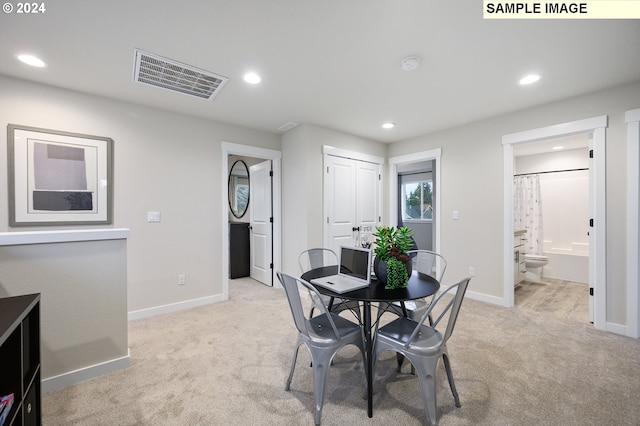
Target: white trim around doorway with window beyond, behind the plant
{"points": [[394, 162]]}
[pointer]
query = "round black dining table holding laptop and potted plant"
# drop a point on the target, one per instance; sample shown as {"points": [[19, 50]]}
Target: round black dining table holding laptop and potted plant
{"points": [[419, 286]]}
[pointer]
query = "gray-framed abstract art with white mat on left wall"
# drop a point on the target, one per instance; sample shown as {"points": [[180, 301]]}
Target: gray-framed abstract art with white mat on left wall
{"points": [[59, 178]]}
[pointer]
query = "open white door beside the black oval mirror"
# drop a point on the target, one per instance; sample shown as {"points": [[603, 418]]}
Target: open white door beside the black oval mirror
{"points": [[261, 222]]}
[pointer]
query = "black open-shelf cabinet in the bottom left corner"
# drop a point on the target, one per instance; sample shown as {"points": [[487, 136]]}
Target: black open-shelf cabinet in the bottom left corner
{"points": [[20, 359]]}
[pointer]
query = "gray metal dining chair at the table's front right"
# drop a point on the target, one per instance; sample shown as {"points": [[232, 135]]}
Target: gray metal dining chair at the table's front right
{"points": [[423, 345]]}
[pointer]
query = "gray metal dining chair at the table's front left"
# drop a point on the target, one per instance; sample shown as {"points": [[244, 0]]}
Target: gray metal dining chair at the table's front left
{"points": [[323, 335]]}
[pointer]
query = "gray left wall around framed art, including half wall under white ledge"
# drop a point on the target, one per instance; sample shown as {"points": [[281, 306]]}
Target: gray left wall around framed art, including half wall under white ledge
{"points": [[163, 162]]}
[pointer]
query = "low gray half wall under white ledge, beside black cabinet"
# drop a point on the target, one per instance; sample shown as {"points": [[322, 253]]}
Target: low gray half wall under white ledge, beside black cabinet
{"points": [[83, 306]]}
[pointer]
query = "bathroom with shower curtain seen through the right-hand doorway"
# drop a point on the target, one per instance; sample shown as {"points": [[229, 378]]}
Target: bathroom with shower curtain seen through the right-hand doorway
{"points": [[551, 187]]}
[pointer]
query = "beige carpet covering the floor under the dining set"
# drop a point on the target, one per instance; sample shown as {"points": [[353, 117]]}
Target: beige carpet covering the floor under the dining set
{"points": [[227, 363]]}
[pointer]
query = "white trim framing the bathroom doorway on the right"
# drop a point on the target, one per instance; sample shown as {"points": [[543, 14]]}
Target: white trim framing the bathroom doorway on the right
{"points": [[595, 126]]}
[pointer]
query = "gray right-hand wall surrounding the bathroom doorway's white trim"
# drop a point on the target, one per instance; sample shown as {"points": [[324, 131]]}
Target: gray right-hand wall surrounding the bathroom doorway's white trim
{"points": [[472, 182]]}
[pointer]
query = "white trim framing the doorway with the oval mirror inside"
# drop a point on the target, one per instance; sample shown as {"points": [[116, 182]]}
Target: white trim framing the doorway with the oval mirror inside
{"points": [[229, 148]]}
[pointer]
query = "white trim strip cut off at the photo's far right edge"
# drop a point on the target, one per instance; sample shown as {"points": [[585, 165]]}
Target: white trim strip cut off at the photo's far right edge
{"points": [[632, 118]]}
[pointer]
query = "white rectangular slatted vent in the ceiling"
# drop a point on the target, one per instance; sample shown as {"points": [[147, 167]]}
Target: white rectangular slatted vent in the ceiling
{"points": [[172, 75]]}
